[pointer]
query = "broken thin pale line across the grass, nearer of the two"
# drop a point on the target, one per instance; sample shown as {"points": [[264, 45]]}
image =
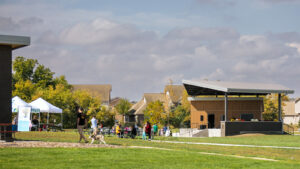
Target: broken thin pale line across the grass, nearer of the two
{"points": [[206, 153]]}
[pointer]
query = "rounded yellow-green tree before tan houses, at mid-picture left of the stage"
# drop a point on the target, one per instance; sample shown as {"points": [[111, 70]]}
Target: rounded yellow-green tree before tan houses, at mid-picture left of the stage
{"points": [[155, 113]]}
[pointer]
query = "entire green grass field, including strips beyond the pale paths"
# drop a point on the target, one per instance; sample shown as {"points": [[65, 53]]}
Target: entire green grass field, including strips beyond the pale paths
{"points": [[176, 155]]}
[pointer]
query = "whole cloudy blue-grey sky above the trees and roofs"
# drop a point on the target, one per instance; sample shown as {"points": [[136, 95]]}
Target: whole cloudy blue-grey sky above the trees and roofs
{"points": [[138, 45]]}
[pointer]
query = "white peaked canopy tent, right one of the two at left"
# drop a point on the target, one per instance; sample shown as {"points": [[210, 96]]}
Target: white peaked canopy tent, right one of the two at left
{"points": [[46, 107]]}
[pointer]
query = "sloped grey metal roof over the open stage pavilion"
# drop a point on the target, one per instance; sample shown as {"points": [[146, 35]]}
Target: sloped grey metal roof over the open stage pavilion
{"points": [[195, 87]]}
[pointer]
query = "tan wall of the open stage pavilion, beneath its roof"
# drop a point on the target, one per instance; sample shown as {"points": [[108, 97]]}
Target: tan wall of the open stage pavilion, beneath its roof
{"points": [[235, 109]]}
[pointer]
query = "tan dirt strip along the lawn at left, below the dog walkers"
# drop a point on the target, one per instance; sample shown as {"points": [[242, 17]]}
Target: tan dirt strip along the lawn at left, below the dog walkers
{"points": [[53, 144]]}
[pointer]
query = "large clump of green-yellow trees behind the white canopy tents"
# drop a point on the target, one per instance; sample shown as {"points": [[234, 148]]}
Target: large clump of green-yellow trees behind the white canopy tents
{"points": [[32, 80]]}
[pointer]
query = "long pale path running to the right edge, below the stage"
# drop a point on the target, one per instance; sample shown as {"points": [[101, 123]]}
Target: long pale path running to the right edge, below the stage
{"points": [[229, 145]]}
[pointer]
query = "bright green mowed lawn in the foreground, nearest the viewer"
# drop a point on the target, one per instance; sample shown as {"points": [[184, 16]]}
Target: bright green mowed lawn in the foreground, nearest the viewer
{"points": [[122, 158]]}
